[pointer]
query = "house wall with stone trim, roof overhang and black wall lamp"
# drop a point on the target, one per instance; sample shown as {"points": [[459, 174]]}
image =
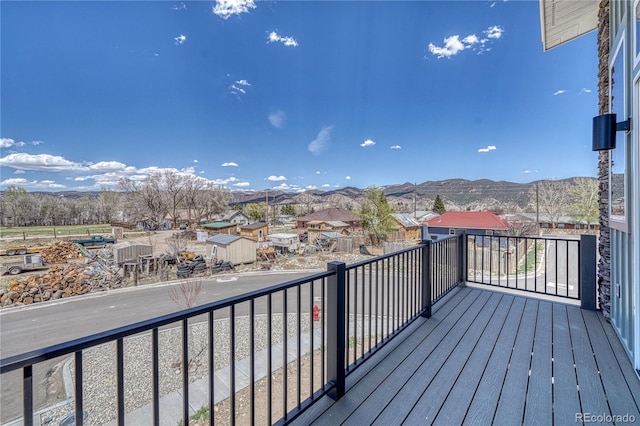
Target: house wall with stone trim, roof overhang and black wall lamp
{"points": [[618, 53]]}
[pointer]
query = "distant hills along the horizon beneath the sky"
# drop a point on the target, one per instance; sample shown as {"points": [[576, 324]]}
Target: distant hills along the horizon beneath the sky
{"points": [[457, 194]]}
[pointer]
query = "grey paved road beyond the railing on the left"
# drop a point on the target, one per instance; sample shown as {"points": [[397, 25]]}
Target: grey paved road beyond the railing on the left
{"points": [[38, 326]]}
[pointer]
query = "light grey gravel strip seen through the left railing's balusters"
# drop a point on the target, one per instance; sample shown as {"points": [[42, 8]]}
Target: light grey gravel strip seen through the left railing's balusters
{"points": [[99, 364]]}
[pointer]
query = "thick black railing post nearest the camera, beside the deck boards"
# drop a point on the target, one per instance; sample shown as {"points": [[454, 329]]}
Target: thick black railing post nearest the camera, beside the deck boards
{"points": [[335, 312]]}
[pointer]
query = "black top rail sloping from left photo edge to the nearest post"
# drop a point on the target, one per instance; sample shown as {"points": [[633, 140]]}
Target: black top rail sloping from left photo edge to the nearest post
{"points": [[32, 357]]}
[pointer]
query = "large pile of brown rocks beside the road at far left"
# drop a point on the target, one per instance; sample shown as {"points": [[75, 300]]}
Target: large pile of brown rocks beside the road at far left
{"points": [[58, 283]]}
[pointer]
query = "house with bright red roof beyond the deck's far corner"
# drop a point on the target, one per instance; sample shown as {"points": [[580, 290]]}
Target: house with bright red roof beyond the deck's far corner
{"points": [[477, 223]]}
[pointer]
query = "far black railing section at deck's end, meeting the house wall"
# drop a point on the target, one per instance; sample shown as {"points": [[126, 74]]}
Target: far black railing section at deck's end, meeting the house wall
{"points": [[560, 267]]}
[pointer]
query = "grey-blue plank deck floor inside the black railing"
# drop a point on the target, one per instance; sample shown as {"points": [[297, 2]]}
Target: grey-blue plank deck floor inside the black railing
{"points": [[486, 357]]}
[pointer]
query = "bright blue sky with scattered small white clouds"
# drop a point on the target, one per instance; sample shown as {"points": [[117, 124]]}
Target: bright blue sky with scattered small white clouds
{"points": [[292, 95]]}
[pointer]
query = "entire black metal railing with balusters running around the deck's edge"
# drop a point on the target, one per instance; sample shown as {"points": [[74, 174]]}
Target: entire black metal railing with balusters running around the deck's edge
{"points": [[270, 354]]}
